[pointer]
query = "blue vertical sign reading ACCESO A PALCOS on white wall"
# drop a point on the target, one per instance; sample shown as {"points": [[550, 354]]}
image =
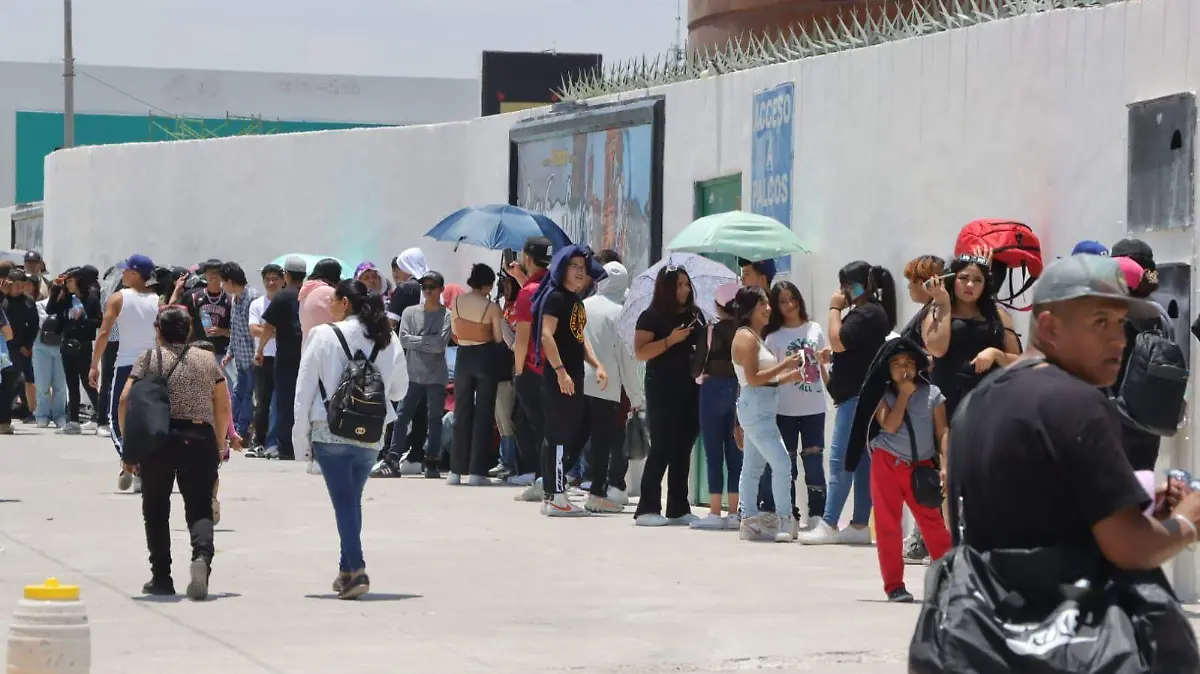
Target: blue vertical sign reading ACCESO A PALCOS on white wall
{"points": [[771, 165]]}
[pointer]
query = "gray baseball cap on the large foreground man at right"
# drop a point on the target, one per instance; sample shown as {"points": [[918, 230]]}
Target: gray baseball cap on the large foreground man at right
{"points": [[1089, 276]]}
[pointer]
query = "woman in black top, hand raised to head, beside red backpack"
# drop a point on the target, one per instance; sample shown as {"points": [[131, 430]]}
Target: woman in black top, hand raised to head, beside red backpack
{"points": [[967, 333]]}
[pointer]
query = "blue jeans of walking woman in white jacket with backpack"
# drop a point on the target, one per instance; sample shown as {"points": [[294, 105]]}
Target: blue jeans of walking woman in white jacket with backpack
{"points": [[346, 470]]}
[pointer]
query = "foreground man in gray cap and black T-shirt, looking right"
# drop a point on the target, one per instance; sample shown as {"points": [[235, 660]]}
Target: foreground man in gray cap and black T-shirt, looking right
{"points": [[1036, 450]]}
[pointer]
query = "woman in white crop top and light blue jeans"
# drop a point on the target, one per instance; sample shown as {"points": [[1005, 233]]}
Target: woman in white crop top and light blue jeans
{"points": [[760, 375]]}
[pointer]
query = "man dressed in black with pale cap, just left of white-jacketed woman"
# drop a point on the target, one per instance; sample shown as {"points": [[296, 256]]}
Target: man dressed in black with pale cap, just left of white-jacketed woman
{"points": [[281, 321]]}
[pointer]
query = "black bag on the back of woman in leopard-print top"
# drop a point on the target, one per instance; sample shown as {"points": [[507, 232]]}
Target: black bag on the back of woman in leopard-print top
{"points": [[148, 413]]}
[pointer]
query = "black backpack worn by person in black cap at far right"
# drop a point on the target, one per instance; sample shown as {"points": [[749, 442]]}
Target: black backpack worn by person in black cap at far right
{"points": [[1151, 394]]}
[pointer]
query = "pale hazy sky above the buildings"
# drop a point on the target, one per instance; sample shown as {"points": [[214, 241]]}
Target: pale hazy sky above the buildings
{"points": [[381, 38]]}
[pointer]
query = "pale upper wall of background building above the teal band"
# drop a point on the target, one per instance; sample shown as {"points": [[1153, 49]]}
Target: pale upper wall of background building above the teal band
{"points": [[213, 94]]}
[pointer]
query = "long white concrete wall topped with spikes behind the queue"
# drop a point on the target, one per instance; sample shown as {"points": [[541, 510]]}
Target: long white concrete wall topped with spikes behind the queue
{"points": [[897, 147]]}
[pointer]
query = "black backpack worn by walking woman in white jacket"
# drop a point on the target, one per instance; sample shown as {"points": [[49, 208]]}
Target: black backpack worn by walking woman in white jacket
{"points": [[358, 410]]}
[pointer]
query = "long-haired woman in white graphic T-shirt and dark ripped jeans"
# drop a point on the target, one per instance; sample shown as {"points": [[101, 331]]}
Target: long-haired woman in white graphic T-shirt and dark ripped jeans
{"points": [[802, 404]]}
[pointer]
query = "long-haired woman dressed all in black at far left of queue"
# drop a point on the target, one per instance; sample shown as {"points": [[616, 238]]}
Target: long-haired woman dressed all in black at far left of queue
{"points": [[75, 299]]}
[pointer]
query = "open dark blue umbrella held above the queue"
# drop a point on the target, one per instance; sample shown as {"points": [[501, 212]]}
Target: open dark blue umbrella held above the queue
{"points": [[497, 227]]}
